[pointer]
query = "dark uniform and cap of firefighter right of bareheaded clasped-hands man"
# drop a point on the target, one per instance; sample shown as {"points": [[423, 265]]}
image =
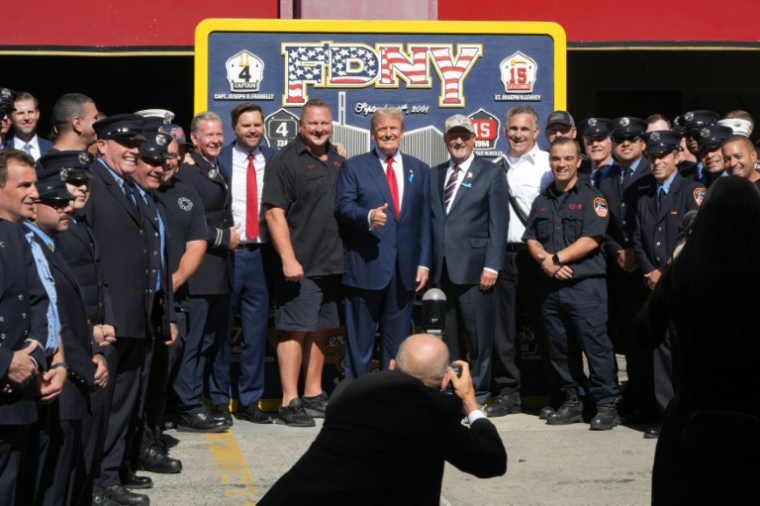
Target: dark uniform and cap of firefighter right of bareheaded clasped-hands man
{"points": [[623, 187]]}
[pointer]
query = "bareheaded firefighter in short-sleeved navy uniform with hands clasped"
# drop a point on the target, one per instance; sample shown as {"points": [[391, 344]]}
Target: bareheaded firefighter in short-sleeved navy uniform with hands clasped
{"points": [[566, 227]]}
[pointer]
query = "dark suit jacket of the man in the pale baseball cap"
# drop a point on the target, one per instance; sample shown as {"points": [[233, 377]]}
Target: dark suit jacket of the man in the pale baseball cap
{"points": [[474, 233]]}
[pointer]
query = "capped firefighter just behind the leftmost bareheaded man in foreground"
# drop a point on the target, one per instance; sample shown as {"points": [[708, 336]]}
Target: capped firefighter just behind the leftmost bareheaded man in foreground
{"points": [[60, 421]]}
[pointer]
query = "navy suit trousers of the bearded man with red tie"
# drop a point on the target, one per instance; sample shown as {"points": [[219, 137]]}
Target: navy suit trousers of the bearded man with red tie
{"points": [[250, 297]]}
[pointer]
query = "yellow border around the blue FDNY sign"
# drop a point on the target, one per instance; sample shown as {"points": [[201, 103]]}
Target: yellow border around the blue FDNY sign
{"points": [[209, 26]]}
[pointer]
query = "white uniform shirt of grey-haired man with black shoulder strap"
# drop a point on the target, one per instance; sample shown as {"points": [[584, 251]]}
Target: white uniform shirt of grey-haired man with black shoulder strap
{"points": [[527, 177]]}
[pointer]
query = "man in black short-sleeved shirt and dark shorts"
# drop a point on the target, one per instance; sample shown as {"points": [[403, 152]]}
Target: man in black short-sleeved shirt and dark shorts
{"points": [[299, 195]]}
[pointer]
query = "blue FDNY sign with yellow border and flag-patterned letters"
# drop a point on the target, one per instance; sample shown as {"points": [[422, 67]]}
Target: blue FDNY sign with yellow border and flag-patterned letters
{"points": [[428, 70]]}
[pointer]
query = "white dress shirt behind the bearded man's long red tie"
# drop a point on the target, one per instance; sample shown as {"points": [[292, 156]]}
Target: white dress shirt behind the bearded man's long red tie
{"points": [[240, 191]]}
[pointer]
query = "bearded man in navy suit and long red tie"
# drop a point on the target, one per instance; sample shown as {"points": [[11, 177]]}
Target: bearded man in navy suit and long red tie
{"points": [[243, 164]]}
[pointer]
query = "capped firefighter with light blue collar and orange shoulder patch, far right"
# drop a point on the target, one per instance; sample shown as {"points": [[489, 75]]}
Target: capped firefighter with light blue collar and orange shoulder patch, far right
{"points": [[656, 235]]}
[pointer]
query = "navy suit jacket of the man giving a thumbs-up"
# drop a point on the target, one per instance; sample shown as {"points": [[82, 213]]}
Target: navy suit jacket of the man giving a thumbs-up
{"points": [[371, 255]]}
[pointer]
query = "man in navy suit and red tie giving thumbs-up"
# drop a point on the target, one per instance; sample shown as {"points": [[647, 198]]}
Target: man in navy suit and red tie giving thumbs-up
{"points": [[384, 198]]}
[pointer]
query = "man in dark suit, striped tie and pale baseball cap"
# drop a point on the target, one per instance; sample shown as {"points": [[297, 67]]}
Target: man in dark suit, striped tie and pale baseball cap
{"points": [[470, 216]]}
